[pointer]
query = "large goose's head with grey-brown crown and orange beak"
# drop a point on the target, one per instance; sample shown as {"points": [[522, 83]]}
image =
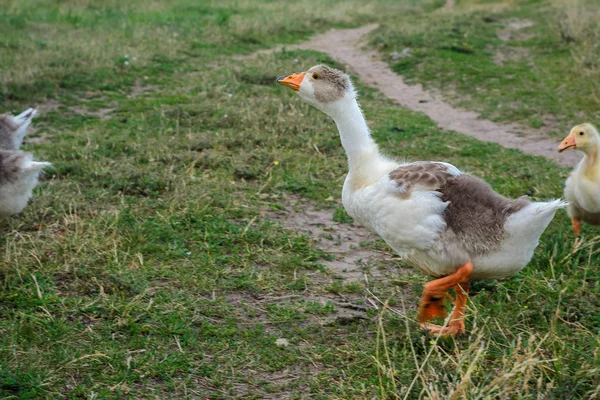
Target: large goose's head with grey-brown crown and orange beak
{"points": [[321, 86]]}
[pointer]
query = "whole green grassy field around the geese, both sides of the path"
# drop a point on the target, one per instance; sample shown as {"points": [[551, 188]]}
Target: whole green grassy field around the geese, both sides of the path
{"points": [[150, 262]]}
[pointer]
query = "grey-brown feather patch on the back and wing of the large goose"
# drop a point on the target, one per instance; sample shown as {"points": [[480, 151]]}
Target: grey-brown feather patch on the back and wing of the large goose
{"points": [[476, 214]]}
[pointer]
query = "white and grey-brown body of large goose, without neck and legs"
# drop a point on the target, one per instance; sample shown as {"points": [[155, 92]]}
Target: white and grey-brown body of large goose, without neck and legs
{"points": [[453, 219]]}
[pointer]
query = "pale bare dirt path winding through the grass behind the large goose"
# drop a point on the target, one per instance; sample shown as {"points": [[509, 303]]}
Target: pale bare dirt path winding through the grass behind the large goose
{"points": [[345, 46]]}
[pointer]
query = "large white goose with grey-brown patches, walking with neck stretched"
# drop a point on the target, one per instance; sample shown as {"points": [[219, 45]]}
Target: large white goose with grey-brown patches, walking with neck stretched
{"points": [[450, 225]]}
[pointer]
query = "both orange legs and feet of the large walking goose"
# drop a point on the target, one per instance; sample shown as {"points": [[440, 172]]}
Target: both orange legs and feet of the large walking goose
{"points": [[432, 301]]}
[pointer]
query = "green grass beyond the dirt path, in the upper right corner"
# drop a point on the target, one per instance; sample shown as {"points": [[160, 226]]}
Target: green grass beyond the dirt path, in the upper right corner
{"points": [[544, 76]]}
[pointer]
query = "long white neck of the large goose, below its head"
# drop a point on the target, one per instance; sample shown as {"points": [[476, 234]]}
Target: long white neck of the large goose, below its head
{"points": [[354, 132]]}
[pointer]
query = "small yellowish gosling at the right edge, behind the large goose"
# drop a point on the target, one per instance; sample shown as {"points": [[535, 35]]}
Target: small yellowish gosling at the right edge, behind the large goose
{"points": [[582, 189]]}
